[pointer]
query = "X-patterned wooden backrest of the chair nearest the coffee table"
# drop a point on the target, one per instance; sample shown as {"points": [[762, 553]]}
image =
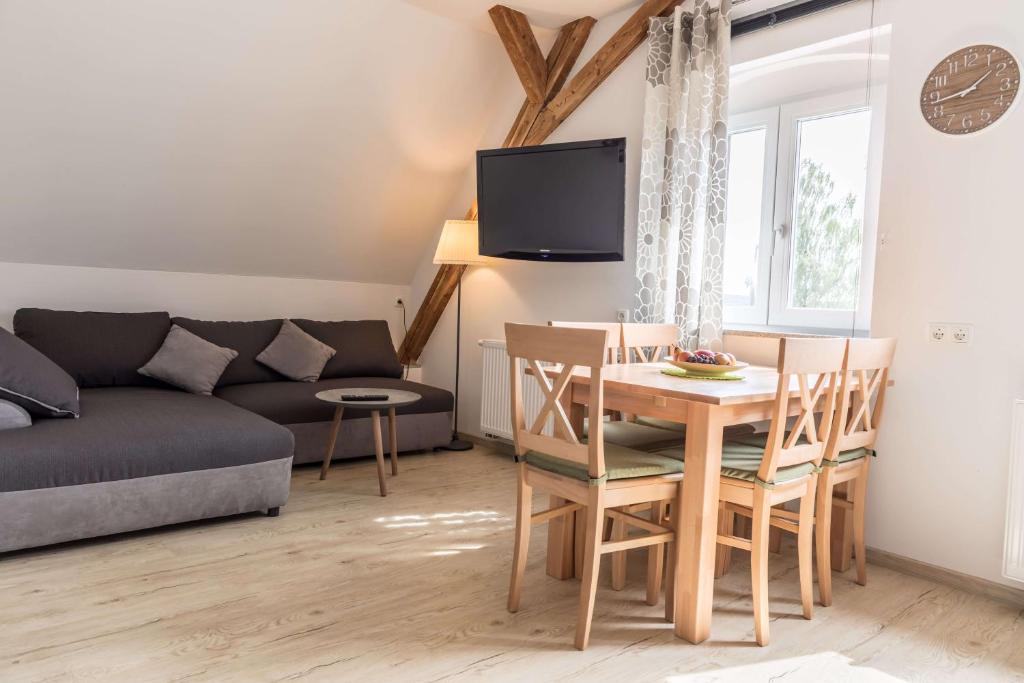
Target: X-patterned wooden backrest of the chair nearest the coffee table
{"points": [[569, 349]]}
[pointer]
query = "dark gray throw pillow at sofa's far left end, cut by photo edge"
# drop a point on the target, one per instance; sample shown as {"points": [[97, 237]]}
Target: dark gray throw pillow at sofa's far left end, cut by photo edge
{"points": [[31, 380]]}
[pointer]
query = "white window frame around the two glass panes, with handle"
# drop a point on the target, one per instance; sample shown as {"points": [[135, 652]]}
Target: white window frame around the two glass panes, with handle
{"points": [[779, 205]]}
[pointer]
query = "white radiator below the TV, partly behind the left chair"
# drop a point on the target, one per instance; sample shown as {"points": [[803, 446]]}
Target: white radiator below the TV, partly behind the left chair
{"points": [[496, 398]]}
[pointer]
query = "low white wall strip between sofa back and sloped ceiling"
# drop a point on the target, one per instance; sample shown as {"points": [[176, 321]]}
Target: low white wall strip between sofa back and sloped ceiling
{"points": [[194, 295]]}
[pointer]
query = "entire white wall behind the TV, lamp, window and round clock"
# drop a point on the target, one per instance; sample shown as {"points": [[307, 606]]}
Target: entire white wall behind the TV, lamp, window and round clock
{"points": [[950, 251]]}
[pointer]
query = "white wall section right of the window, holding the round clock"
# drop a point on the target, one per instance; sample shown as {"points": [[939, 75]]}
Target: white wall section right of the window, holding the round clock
{"points": [[951, 251]]}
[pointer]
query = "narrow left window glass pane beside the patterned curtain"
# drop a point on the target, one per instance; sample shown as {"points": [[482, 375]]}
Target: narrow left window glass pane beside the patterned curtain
{"points": [[743, 230]]}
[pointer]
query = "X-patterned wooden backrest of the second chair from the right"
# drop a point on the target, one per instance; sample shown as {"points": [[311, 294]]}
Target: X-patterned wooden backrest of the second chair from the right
{"points": [[816, 365]]}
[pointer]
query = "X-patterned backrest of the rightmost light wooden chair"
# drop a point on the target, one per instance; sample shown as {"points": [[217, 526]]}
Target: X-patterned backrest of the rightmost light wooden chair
{"points": [[863, 394]]}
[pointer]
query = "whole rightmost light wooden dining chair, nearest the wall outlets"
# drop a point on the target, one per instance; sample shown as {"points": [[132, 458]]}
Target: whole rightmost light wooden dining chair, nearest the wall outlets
{"points": [[848, 455]]}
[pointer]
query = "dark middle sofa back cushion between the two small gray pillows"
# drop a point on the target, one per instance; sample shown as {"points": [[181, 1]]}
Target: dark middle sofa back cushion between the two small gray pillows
{"points": [[248, 338]]}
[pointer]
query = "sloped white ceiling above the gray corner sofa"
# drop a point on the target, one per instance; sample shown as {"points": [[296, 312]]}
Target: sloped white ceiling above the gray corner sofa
{"points": [[323, 139]]}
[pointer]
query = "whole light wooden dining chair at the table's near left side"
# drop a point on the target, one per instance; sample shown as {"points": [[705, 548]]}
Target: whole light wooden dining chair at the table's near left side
{"points": [[595, 477]]}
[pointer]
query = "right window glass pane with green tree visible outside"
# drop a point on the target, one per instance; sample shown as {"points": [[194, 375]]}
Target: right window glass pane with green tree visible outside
{"points": [[829, 211]]}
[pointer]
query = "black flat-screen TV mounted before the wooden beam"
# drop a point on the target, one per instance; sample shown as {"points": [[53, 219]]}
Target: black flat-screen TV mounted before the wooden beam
{"points": [[553, 202]]}
